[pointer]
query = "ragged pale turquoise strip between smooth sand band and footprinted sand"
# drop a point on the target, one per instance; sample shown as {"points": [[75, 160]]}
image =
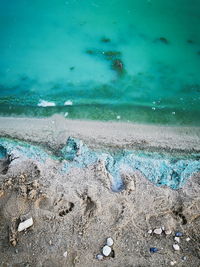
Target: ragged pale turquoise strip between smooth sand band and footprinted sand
{"points": [[160, 169]]}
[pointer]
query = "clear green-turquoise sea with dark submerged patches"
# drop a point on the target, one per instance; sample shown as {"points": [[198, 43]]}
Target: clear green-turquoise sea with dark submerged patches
{"points": [[133, 60]]}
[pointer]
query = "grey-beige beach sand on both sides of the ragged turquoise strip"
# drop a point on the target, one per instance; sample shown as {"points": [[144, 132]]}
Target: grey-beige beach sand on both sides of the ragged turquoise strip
{"points": [[77, 211]]}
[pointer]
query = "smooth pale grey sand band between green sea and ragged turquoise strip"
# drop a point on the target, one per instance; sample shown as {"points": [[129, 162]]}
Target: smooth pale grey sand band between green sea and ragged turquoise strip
{"points": [[54, 131]]}
